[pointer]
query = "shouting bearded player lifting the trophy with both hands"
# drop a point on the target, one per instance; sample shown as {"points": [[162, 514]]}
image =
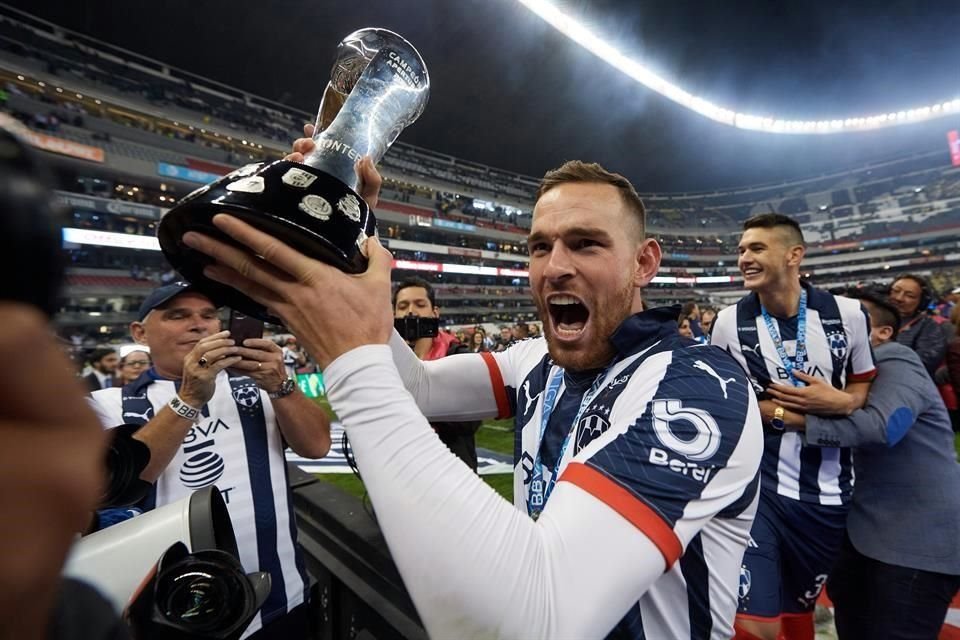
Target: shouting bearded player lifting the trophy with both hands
{"points": [[637, 452]]}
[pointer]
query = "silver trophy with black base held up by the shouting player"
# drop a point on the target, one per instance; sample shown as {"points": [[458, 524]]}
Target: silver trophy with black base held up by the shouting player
{"points": [[379, 86]]}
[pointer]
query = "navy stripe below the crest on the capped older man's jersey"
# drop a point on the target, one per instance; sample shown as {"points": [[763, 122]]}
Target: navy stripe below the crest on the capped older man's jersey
{"points": [[254, 427]]}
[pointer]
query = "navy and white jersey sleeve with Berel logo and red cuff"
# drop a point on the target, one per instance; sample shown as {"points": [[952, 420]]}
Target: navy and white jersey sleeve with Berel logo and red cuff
{"points": [[684, 444]]}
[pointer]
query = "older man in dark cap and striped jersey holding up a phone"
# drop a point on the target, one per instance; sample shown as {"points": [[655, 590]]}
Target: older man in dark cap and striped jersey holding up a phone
{"points": [[215, 412]]}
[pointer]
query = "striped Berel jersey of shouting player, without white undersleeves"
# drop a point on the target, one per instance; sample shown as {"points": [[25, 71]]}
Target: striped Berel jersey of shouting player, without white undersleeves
{"points": [[671, 442]]}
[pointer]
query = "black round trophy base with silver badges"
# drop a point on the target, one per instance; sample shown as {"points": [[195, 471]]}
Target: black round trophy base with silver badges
{"points": [[307, 209]]}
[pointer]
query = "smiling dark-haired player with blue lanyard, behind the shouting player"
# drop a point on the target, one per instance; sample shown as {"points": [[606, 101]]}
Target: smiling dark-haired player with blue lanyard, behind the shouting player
{"points": [[785, 333]]}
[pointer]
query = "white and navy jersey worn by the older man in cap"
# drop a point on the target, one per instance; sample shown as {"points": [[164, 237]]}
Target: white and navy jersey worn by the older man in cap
{"points": [[241, 453]]}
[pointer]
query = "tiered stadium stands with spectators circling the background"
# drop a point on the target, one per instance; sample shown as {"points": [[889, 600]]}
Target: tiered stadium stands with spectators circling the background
{"points": [[126, 129]]}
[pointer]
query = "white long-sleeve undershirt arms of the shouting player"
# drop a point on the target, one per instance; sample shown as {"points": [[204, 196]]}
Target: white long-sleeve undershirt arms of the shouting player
{"points": [[475, 566]]}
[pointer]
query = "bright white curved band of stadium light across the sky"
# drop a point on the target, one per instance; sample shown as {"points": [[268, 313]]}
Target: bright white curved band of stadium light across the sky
{"points": [[585, 37]]}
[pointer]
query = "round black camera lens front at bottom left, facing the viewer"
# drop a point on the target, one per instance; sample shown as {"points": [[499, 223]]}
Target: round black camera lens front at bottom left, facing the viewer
{"points": [[201, 597]]}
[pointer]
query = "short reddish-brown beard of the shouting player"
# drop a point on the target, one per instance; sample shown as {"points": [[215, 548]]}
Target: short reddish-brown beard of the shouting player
{"points": [[604, 320]]}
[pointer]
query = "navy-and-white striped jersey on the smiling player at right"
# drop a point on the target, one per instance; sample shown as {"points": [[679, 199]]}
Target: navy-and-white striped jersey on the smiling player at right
{"points": [[838, 350]]}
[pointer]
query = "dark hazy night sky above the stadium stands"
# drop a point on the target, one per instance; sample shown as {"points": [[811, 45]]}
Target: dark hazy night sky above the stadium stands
{"points": [[510, 92]]}
